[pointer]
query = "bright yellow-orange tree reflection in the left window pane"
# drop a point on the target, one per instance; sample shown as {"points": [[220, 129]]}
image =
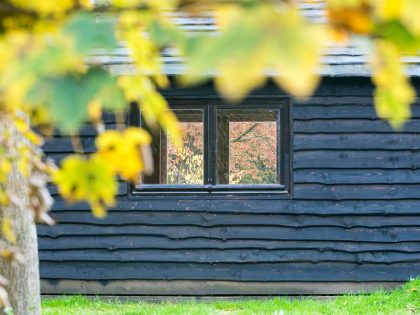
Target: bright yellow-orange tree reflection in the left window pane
{"points": [[186, 165]]}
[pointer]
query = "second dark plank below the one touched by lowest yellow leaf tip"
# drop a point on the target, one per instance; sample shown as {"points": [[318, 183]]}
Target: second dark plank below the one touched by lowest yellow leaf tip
{"points": [[111, 243]]}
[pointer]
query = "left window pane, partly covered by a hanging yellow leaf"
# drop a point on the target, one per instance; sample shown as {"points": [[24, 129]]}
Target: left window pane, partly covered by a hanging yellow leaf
{"points": [[184, 165]]}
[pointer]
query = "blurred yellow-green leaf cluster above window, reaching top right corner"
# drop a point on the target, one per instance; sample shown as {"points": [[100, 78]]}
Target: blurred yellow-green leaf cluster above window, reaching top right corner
{"points": [[270, 38]]}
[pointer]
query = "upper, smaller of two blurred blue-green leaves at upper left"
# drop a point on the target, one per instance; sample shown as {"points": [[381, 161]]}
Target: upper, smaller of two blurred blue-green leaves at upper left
{"points": [[88, 32]]}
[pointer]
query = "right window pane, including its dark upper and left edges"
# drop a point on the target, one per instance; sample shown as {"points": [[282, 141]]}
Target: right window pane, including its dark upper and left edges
{"points": [[247, 151]]}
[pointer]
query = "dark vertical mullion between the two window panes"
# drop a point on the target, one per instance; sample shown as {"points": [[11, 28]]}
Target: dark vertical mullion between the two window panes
{"points": [[210, 146]]}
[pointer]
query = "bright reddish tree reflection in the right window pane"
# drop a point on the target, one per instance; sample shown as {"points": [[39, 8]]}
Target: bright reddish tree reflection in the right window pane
{"points": [[252, 153]]}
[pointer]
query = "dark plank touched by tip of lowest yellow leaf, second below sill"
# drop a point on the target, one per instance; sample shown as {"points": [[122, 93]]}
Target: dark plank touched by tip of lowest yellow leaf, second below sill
{"points": [[122, 218]]}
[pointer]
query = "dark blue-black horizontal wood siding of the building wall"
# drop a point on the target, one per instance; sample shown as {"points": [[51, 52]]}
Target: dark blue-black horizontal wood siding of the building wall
{"points": [[354, 215]]}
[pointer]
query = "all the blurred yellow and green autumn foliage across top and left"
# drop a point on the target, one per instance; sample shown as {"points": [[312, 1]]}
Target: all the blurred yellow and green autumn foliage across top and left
{"points": [[47, 83]]}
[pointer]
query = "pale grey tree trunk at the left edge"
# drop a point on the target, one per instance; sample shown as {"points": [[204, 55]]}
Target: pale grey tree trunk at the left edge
{"points": [[24, 287]]}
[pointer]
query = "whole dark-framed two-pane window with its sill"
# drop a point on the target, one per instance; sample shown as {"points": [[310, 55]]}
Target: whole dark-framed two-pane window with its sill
{"points": [[226, 148]]}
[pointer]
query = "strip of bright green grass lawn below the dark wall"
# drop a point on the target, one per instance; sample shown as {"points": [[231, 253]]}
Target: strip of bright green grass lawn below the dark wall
{"points": [[405, 300]]}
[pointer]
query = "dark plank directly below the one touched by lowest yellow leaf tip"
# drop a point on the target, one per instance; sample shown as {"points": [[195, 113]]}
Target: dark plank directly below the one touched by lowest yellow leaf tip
{"points": [[385, 234]]}
